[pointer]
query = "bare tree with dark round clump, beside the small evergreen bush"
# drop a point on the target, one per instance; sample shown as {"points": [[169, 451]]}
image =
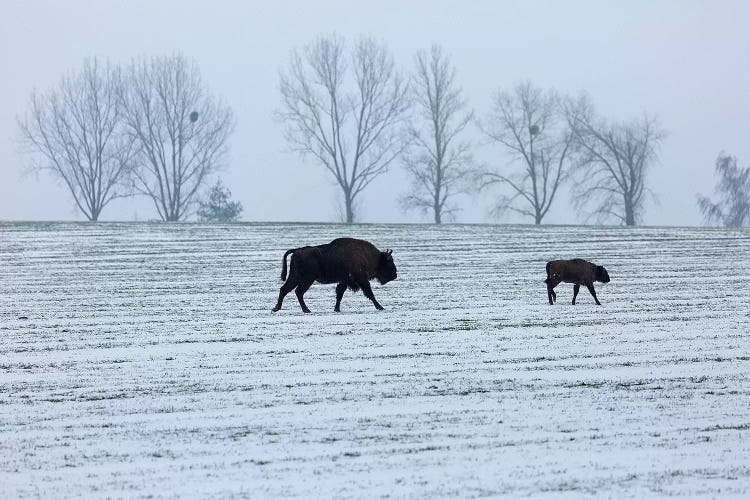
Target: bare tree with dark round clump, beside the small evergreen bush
{"points": [[181, 130]]}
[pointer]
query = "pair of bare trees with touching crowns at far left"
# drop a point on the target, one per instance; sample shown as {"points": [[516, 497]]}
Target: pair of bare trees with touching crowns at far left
{"points": [[150, 128]]}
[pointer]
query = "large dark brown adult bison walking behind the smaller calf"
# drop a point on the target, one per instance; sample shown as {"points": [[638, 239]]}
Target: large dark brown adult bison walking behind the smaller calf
{"points": [[350, 262]]}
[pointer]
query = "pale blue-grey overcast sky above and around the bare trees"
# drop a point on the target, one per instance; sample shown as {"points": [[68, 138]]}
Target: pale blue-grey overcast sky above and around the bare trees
{"points": [[688, 62]]}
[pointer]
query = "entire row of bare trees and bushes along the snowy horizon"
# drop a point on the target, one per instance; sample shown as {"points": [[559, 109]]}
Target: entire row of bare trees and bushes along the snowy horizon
{"points": [[152, 128]]}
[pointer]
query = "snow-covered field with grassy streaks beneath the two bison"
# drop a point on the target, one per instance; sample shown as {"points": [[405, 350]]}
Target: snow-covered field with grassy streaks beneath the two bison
{"points": [[142, 360]]}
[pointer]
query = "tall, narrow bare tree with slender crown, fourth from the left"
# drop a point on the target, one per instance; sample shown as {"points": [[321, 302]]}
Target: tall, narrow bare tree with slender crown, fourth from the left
{"points": [[438, 164]]}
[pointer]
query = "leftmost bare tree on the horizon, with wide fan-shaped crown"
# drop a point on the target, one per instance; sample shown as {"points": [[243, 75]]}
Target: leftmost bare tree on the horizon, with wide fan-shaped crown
{"points": [[75, 132]]}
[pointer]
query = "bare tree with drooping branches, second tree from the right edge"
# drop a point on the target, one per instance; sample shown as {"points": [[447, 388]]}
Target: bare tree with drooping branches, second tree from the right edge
{"points": [[614, 159]]}
